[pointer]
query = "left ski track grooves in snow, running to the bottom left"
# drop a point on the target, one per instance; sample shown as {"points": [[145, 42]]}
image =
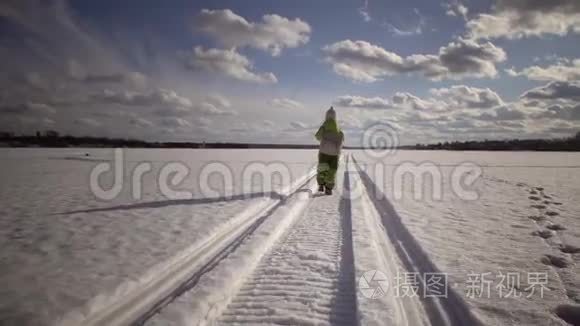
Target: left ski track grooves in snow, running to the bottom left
{"points": [[136, 306]]}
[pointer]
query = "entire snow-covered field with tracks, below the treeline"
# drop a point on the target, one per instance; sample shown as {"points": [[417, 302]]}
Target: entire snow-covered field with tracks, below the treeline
{"points": [[218, 245]]}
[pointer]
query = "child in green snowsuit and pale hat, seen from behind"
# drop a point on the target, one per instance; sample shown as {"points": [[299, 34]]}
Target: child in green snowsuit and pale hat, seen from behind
{"points": [[331, 139]]}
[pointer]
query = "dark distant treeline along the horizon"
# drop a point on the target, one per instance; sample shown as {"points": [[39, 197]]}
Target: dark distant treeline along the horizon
{"points": [[53, 139]]}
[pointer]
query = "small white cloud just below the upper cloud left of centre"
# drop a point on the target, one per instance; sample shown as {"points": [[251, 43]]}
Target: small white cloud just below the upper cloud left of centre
{"points": [[227, 62]]}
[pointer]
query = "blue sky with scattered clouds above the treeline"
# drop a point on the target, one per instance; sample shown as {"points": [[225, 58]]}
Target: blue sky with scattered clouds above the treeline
{"points": [[265, 71]]}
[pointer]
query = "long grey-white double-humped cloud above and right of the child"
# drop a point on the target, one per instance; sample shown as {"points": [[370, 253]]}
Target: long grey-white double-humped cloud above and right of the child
{"points": [[365, 62]]}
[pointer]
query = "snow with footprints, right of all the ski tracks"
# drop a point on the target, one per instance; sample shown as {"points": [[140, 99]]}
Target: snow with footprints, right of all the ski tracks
{"points": [[497, 232]]}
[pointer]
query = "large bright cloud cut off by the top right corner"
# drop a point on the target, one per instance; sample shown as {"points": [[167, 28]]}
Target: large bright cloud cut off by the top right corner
{"points": [[514, 19]]}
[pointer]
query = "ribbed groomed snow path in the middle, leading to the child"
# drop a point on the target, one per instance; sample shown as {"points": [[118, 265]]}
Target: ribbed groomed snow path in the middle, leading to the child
{"points": [[308, 277]]}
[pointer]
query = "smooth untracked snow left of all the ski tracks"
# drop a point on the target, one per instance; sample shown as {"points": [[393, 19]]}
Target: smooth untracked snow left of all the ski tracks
{"points": [[63, 250]]}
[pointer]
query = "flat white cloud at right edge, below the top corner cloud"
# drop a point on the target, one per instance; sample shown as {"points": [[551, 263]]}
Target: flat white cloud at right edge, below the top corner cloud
{"points": [[561, 71]]}
